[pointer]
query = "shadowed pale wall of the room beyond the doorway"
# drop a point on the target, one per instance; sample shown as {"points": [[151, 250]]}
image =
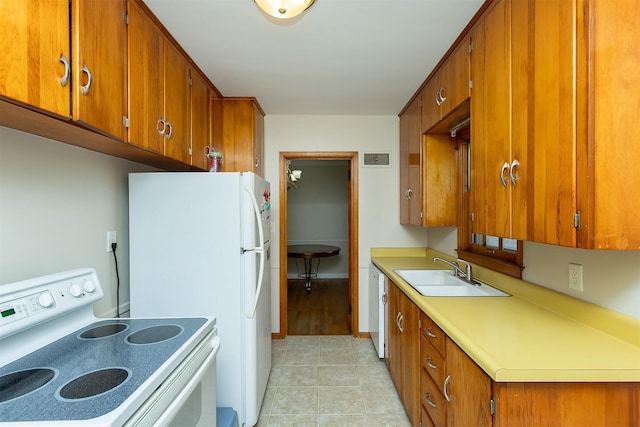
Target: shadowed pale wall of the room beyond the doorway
{"points": [[318, 213]]}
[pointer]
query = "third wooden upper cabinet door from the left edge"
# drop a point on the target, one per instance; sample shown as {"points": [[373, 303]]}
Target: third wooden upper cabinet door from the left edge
{"points": [[146, 78]]}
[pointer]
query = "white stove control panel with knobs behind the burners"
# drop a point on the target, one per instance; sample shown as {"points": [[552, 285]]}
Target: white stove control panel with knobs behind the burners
{"points": [[30, 302]]}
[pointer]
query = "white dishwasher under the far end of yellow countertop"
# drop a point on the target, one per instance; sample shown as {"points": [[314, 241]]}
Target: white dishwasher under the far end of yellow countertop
{"points": [[378, 295]]}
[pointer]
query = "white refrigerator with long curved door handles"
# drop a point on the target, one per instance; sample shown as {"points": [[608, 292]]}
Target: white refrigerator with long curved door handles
{"points": [[199, 245]]}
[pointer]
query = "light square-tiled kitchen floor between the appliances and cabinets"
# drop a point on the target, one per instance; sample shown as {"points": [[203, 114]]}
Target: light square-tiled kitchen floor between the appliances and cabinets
{"points": [[329, 381]]}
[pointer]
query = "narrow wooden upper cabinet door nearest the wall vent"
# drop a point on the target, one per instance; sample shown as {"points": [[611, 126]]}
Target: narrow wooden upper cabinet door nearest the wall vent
{"points": [[411, 165]]}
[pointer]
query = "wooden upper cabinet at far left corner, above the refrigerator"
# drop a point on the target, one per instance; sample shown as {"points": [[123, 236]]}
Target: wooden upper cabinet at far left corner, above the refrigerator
{"points": [[242, 135]]}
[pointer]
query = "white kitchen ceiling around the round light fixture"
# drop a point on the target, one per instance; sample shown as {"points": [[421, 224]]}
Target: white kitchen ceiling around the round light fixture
{"points": [[341, 57]]}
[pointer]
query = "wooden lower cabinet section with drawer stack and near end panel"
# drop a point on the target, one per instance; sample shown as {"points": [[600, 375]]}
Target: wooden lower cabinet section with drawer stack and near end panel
{"points": [[455, 391]]}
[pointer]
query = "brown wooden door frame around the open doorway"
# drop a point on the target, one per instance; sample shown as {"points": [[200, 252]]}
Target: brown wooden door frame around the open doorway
{"points": [[352, 161]]}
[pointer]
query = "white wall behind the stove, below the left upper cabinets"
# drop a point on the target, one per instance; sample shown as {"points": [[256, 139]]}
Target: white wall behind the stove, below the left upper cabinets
{"points": [[56, 204]]}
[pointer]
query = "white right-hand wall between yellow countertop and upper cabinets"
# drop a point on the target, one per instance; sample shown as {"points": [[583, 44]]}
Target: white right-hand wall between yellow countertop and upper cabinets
{"points": [[611, 279]]}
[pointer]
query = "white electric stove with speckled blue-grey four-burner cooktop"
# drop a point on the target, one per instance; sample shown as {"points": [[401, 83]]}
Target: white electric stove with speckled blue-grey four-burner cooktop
{"points": [[62, 366]]}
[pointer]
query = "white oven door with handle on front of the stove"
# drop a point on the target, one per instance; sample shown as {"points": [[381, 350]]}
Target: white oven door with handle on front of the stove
{"points": [[188, 395]]}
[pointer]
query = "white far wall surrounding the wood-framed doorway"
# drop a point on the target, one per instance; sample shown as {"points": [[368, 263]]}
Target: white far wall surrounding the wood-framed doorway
{"points": [[379, 220]]}
